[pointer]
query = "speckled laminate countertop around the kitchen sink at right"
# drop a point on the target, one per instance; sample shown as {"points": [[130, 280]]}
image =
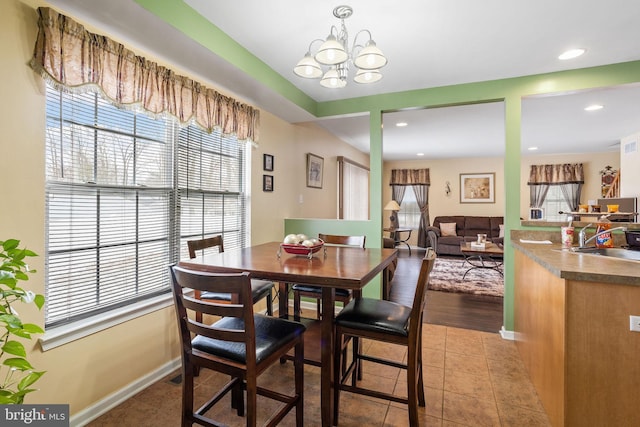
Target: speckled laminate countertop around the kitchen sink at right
{"points": [[580, 267]]}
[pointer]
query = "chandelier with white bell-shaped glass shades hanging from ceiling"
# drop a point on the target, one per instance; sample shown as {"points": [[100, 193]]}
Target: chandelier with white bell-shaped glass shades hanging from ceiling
{"points": [[334, 52]]}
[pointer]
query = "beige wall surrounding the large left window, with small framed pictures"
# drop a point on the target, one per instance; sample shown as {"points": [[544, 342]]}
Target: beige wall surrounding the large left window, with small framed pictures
{"points": [[88, 370]]}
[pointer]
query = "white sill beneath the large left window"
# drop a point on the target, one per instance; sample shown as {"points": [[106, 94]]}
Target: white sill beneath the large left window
{"points": [[62, 335]]}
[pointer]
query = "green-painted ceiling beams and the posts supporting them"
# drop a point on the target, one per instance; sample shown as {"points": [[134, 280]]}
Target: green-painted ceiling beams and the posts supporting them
{"points": [[185, 19]]}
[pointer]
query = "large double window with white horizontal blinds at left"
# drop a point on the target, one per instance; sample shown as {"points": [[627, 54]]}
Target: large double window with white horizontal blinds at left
{"points": [[114, 209]]}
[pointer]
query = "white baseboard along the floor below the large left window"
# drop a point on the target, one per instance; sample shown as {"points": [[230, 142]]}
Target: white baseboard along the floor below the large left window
{"points": [[111, 401]]}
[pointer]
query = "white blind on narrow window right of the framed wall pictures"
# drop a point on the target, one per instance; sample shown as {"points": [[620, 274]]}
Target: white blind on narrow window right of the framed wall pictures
{"points": [[353, 194]]}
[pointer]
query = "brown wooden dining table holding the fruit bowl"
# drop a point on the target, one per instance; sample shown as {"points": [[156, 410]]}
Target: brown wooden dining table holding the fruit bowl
{"points": [[331, 267]]}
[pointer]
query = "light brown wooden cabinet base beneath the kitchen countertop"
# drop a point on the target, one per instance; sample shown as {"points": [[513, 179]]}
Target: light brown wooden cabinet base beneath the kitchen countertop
{"points": [[574, 339]]}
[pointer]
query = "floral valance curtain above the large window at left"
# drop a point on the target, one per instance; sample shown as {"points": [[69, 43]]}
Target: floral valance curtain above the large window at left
{"points": [[75, 59]]}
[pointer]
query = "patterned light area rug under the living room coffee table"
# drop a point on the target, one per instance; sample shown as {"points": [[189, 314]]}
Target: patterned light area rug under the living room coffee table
{"points": [[447, 276]]}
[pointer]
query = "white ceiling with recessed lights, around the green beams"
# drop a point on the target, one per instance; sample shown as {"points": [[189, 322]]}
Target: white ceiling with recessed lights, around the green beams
{"points": [[428, 43]]}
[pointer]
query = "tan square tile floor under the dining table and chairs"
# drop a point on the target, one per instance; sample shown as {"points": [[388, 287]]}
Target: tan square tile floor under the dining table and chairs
{"points": [[472, 378]]}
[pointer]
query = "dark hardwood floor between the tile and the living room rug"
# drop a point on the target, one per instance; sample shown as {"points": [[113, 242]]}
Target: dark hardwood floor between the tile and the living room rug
{"points": [[467, 311]]}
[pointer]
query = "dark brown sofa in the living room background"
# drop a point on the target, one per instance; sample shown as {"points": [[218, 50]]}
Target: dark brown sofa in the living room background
{"points": [[467, 229]]}
